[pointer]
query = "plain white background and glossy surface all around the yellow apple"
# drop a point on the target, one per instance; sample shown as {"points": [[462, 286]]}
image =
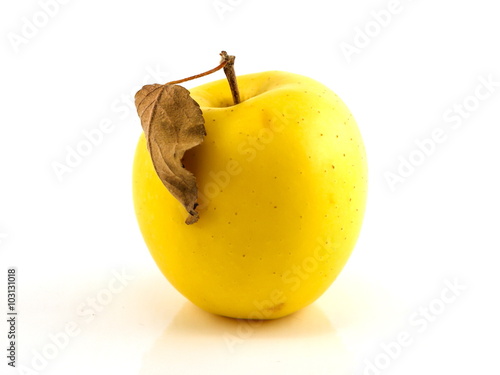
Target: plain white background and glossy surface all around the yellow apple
{"points": [[69, 239]]}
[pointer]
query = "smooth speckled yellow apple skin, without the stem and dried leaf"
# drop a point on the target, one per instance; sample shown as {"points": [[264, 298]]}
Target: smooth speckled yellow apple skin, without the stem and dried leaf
{"points": [[282, 180]]}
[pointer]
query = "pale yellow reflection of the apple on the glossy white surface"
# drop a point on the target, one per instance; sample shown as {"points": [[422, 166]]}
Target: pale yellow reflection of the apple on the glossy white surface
{"points": [[197, 342]]}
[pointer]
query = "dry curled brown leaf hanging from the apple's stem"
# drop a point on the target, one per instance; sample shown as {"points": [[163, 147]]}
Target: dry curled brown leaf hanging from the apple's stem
{"points": [[173, 123]]}
